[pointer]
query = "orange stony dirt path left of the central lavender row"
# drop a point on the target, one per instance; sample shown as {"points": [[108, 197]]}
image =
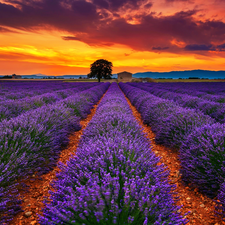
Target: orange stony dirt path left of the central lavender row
{"points": [[32, 201]]}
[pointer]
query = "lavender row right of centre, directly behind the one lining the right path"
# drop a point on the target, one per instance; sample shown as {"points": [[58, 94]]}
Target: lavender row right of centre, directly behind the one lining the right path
{"points": [[213, 109]]}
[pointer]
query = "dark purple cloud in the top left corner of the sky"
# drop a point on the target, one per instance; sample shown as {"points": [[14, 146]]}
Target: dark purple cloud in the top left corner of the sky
{"points": [[78, 17]]}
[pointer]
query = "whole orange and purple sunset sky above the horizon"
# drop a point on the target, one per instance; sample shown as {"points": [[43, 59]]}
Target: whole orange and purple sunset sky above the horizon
{"points": [[60, 37]]}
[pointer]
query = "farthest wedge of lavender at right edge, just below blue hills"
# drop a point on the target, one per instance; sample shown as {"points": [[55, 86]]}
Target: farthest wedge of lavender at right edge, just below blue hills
{"points": [[209, 91]]}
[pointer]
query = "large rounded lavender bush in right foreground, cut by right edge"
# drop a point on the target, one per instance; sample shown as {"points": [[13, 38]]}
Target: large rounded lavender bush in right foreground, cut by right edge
{"points": [[203, 159]]}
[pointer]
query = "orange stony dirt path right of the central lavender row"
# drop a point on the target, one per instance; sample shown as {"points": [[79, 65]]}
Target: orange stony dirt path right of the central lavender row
{"points": [[200, 207]]}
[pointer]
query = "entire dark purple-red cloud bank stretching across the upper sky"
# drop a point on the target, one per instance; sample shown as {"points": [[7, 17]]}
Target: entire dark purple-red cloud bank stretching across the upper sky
{"points": [[99, 23]]}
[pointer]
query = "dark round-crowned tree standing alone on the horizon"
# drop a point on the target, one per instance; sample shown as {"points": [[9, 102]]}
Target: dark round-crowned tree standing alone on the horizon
{"points": [[101, 68]]}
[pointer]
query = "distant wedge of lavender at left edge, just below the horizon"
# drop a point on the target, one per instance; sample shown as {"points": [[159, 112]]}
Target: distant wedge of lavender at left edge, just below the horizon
{"points": [[18, 90]]}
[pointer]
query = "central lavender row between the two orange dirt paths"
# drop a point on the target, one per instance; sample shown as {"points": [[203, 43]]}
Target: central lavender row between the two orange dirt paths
{"points": [[114, 177]]}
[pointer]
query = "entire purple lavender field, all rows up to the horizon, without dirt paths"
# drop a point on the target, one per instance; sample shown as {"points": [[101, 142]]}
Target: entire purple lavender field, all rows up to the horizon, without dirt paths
{"points": [[114, 176]]}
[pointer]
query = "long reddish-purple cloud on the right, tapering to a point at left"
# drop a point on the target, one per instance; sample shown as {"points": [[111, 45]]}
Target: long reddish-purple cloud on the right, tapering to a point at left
{"points": [[157, 31]]}
